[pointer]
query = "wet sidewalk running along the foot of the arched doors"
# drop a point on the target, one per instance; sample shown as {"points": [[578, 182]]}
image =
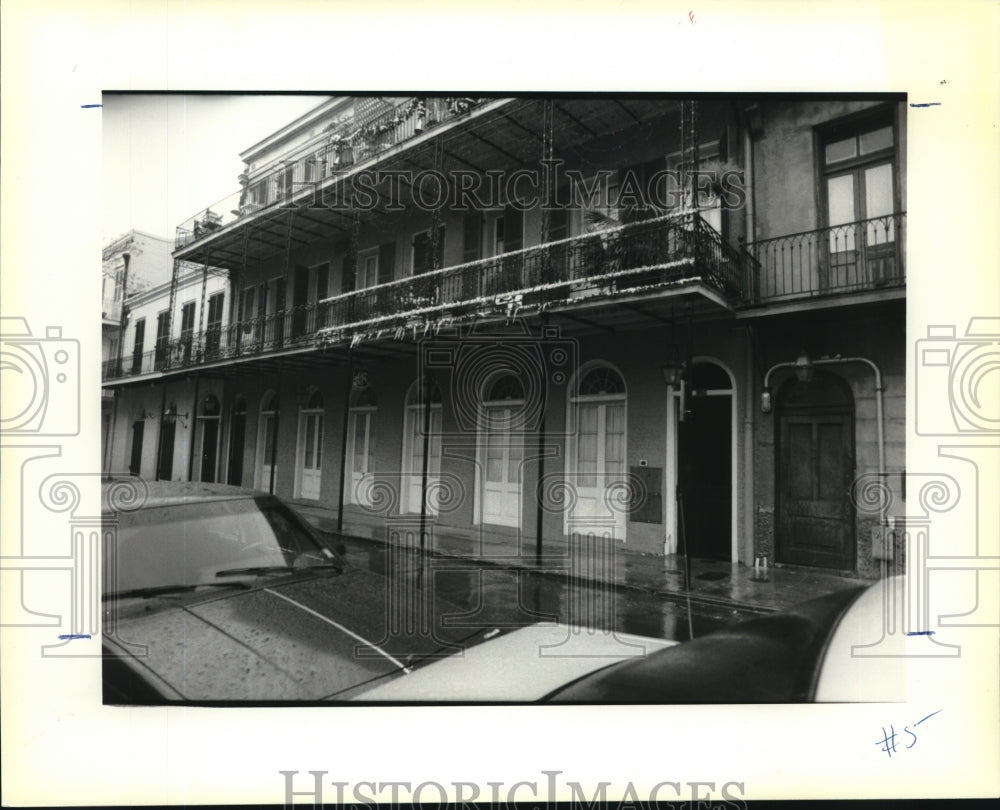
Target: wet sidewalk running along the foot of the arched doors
{"points": [[775, 588]]}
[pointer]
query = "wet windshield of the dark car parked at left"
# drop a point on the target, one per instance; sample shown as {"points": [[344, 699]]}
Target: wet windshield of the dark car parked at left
{"points": [[197, 542]]}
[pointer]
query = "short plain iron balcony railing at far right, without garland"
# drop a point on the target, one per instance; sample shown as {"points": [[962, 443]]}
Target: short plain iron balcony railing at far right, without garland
{"points": [[857, 256]]}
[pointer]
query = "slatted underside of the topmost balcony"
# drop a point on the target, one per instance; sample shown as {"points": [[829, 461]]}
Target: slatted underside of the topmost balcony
{"points": [[506, 136]]}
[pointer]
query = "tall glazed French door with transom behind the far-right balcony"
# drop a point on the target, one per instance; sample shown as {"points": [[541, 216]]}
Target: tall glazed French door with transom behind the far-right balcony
{"points": [[859, 194]]}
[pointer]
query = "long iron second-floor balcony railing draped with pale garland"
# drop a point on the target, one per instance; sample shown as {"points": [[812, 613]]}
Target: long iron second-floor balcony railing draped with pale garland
{"points": [[638, 258]]}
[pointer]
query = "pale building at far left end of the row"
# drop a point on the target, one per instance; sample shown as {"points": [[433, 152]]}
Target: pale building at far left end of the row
{"points": [[130, 264]]}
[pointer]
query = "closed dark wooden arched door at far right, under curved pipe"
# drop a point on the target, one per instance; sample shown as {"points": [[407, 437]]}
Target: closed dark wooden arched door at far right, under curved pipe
{"points": [[814, 470]]}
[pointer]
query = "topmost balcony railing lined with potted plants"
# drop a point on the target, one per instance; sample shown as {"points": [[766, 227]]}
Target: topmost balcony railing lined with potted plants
{"points": [[342, 146]]}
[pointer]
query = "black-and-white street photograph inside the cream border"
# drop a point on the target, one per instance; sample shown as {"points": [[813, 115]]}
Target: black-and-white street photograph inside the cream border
{"points": [[570, 397]]}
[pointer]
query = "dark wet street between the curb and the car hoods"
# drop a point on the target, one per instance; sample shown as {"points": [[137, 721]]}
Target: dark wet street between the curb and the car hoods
{"points": [[510, 596]]}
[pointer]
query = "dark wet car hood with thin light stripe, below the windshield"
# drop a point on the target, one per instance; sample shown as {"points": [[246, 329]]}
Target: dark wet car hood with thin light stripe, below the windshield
{"points": [[307, 638]]}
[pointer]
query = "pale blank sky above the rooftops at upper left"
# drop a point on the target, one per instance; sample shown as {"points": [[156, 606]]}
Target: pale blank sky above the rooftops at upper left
{"points": [[167, 157]]}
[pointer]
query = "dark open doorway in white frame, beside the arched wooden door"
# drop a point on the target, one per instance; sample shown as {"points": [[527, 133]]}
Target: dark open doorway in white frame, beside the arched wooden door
{"points": [[705, 464]]}
